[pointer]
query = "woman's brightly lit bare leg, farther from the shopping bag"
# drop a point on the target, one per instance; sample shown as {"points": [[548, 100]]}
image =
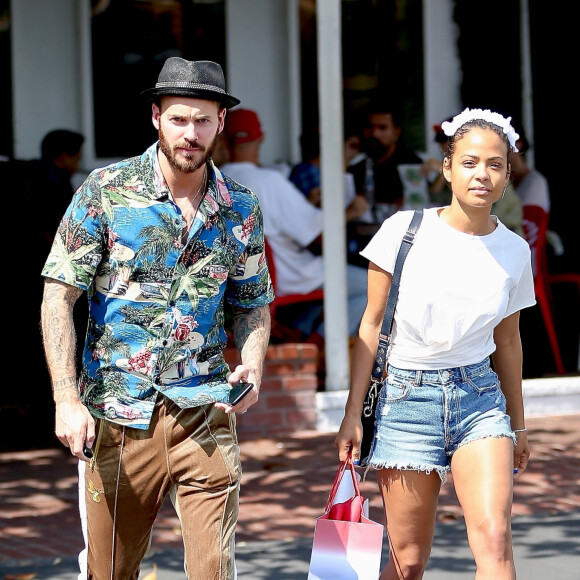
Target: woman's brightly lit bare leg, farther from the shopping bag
{"points": [[483, 478]]}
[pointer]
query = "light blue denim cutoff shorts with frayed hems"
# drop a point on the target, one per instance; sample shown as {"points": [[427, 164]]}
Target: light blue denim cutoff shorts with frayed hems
{"points": [[423, 417]]}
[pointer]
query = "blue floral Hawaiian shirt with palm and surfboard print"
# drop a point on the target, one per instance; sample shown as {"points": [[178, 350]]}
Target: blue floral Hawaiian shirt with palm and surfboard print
{"points": [[156, 292]]}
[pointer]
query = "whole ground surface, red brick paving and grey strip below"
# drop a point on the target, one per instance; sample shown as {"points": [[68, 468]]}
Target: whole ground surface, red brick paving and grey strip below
{"points": [[285, 485]]}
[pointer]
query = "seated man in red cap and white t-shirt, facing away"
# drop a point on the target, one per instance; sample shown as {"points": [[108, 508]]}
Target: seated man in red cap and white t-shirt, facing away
{"points": [[292, 225]]}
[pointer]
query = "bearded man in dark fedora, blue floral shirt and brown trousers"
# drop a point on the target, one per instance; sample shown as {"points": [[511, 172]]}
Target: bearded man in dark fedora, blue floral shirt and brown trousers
{"points": [[159, 242]]}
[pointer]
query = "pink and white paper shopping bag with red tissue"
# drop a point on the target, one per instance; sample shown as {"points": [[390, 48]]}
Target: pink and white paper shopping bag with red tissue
{"points": [[347, 544]]}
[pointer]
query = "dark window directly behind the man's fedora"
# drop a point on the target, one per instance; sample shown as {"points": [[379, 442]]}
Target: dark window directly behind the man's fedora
{"points": [[131, 41]]}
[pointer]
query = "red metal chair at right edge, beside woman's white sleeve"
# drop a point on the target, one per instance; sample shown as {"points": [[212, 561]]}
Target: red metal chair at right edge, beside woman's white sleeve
{"points": [[535, 226]]}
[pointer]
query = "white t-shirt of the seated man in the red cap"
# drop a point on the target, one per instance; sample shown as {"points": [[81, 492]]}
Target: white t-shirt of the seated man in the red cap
{"points": [[291, 223]]}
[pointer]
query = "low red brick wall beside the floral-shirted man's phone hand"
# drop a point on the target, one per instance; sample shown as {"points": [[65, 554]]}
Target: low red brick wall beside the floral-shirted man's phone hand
{"points": [[287, 395]]}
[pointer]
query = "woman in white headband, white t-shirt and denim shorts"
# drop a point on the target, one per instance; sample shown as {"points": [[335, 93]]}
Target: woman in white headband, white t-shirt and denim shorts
{"points": [[442, 407]]}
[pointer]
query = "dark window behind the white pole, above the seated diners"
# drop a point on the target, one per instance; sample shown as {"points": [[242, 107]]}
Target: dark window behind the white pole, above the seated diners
{"points": [[382, 53]]}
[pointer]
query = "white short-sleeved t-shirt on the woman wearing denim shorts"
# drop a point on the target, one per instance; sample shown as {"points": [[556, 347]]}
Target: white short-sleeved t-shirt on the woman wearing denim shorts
{"points": [[455, 289]]}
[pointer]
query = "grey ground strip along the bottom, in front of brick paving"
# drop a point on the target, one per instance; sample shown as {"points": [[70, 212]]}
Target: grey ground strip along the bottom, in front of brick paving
{"points": [[544, 547]]}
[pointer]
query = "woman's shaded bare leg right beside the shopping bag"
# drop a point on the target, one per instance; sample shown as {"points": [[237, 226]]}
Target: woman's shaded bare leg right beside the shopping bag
{"points": [[410, 502]]}
